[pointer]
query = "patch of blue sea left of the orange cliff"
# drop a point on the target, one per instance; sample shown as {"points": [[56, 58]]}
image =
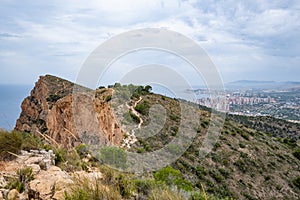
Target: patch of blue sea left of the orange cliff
{"points": [[11, 97]]}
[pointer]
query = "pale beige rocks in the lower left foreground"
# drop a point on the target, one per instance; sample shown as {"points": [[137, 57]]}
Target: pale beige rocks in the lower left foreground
{"points": [[48, 181]]}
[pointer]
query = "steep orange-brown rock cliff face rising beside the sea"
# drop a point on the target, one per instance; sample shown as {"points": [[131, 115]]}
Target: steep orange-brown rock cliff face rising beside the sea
{"points": [[54, 110]]}
